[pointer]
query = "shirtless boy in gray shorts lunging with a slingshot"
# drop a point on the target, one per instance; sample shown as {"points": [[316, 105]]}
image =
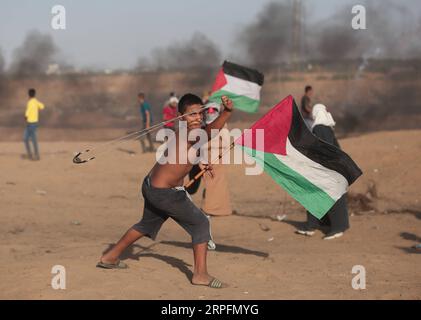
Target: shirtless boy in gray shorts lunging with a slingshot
{"points": [[164, 198]]}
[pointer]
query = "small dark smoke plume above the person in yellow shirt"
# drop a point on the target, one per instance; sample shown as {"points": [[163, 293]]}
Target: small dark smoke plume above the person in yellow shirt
{"points": [[36, 53]]}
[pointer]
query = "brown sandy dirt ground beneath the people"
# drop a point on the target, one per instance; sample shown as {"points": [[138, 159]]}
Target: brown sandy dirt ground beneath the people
{"points": [[56, 213]]}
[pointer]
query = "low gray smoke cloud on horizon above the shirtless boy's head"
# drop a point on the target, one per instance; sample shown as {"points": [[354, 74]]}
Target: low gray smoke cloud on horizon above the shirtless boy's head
{"points": [[197, 52]]}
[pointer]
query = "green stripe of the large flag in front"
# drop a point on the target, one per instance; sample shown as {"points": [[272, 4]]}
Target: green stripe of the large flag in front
{"points": [[311, 197]]}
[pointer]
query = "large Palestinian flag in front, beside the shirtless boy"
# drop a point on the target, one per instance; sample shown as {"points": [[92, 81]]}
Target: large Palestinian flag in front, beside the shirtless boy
{"points": [[313, 172]]}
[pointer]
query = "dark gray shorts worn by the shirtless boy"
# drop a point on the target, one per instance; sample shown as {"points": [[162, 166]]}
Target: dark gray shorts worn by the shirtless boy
{"points": [[175, 203]]}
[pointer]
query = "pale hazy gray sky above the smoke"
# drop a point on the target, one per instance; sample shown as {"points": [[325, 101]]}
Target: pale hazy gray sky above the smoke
{"points": [[114, 34]]}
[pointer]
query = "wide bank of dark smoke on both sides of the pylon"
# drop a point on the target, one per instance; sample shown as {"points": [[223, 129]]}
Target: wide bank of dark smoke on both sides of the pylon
{"points": [[393, 31]]}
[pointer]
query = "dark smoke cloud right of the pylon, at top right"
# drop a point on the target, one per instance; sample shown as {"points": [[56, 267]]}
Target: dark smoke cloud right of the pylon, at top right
{"points": [[392, 32]]}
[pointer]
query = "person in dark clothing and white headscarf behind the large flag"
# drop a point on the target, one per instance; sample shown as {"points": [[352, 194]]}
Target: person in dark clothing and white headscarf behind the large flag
{"points": [[337, 217]]}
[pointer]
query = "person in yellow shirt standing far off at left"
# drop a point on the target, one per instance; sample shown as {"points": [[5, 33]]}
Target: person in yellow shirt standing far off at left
{"points": [[32, 116]]}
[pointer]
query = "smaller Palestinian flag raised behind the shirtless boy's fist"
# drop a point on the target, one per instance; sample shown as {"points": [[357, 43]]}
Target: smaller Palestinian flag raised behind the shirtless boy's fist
{"points": [[242, 85]]}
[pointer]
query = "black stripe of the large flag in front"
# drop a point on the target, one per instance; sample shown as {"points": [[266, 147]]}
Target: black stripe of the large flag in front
{"points": [[320, 151]]}
